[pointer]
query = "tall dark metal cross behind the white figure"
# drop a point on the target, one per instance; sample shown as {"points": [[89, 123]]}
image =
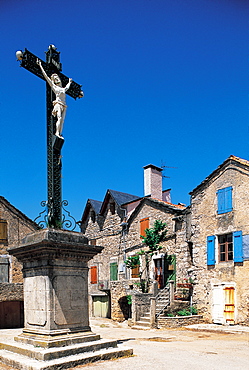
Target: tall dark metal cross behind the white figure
{"points": [[54, 143]]}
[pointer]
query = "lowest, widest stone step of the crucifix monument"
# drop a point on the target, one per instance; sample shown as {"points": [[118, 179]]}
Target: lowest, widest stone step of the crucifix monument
{"points": [[22, 362]]}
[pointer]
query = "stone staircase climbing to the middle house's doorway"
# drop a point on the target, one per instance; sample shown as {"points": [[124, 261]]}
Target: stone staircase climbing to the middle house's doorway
{"points": [[162, 302]]}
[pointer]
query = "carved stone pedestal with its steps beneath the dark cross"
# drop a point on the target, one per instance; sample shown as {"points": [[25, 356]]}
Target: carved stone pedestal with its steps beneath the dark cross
{"points": [[56, 303]]}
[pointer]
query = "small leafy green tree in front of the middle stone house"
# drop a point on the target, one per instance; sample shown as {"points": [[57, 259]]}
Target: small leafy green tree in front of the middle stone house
{"points": [[152, 239]]}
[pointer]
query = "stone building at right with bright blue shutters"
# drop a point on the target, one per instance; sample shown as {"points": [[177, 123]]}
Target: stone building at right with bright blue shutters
{"points": [[219, 234]]}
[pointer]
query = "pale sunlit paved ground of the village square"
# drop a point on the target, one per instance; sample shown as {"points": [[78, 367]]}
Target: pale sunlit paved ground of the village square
{"points": [[205, 347]]}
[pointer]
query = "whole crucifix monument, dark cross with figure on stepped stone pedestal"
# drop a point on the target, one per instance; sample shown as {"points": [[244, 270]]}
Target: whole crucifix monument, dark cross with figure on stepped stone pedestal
{"points": [[56, 333]]}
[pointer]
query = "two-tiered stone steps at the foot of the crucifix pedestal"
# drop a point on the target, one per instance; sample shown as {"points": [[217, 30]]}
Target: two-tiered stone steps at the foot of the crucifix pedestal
{"points": [[27, 357]]}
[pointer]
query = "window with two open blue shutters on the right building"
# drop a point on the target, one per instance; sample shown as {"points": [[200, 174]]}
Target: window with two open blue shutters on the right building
{"points": [[229, 248]]}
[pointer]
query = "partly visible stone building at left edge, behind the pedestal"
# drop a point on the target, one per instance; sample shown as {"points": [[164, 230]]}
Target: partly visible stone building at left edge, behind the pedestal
{"points": [[14, 226]]}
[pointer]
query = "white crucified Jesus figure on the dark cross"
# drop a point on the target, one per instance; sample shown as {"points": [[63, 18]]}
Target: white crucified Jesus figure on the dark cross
{"points": [[59, 103]]}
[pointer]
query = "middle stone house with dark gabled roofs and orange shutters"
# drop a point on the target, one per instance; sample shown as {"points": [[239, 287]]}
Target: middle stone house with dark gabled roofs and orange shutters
{"points": [[117, 224]]}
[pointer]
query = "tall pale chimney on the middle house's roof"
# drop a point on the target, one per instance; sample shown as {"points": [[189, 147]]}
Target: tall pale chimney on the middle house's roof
{"points": [[153, 181]]}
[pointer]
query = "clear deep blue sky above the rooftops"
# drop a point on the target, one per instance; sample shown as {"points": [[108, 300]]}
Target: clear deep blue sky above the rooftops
{"points": [[165, 82]]}
